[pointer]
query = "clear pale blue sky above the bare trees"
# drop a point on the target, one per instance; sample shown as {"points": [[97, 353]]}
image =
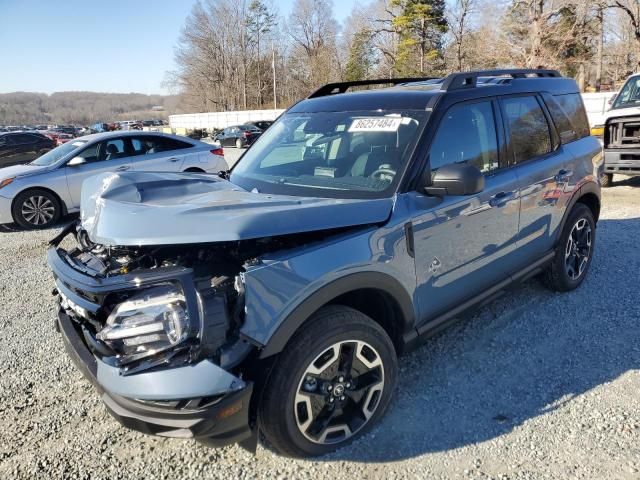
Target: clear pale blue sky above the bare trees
{"points": [[101, 46]]}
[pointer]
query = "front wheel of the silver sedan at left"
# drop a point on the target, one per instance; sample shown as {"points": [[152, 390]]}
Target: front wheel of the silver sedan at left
{"points": [[34, 209]]}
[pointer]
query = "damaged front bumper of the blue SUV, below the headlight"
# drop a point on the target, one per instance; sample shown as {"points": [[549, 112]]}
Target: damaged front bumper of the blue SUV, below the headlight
{"points": [[219, 418]]}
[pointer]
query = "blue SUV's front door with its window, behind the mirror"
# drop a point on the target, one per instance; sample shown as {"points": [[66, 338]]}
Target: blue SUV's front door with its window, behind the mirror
{"points": [[464, 245]]}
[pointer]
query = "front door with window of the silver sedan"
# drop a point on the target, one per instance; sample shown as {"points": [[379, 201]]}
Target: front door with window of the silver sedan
{"points": [[106, 156]]}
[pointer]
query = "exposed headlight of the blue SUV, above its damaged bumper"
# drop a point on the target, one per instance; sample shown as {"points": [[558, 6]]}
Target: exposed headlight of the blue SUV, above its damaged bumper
{"points": [[150, 322]]}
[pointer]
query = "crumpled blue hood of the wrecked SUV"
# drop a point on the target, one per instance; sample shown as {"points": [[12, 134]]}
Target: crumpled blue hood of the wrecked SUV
{"points": [[144, 208]]}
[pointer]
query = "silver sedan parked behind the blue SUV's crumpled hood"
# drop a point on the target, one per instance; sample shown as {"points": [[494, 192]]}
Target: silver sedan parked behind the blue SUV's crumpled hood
{"points": [[35, 195]]}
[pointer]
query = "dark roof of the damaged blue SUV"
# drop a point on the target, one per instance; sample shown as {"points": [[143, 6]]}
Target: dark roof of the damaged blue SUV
{"points": [[421, 95]]}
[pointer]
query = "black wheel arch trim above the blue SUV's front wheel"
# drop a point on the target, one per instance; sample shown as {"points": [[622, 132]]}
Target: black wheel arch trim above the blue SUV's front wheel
{"points": [[327, 293]]}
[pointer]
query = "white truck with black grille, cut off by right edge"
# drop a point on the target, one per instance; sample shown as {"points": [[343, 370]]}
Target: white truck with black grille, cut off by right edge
{"points": [[620, 133]]}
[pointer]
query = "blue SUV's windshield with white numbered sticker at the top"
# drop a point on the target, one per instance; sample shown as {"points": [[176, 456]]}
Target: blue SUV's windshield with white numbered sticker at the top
{"points": [[331, 154]]}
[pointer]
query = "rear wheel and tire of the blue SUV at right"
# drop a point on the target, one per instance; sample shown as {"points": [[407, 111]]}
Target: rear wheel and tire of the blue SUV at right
{"points": [[574, 251]]}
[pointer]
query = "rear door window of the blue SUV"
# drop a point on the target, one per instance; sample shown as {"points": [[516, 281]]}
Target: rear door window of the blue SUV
{"points": [[528, 126]]}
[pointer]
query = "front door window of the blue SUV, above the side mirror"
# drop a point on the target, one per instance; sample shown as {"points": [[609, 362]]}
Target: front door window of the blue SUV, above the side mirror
{"points": [[467, 133]]}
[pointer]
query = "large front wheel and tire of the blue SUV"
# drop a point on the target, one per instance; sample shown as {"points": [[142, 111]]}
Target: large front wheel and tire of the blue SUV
{"points": [[315, 360]]}
